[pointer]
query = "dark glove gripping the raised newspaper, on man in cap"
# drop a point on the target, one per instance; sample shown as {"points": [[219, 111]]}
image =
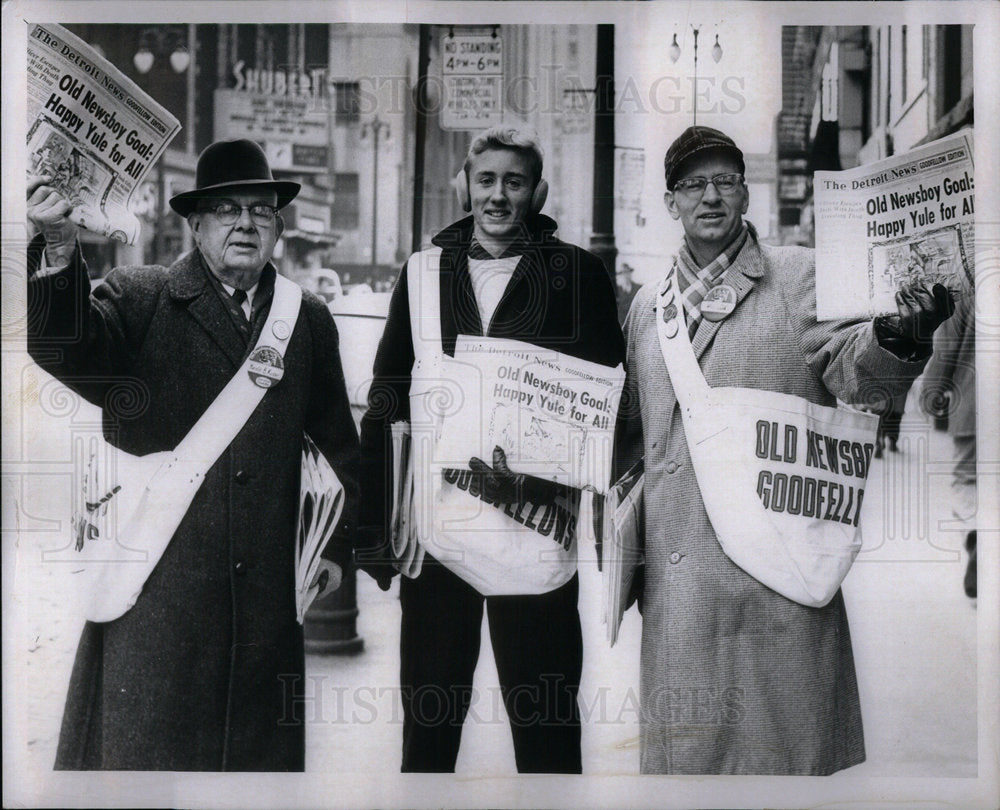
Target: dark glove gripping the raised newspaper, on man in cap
{"points": [[921, 310]]}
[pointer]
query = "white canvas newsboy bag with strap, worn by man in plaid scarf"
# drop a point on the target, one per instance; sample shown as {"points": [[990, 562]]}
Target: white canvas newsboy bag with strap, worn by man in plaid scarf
{"points": [[782, 478]]}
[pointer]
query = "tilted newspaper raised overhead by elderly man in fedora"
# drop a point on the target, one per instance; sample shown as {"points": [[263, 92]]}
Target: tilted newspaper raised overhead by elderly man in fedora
{"points": [[91, 129]]}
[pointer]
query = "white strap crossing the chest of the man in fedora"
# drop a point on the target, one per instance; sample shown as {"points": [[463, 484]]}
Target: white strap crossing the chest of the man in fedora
{"points": [[227, 415]]}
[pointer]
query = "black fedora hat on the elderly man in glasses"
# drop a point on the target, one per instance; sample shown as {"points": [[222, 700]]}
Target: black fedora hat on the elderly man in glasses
{"points": [[231, 164]]}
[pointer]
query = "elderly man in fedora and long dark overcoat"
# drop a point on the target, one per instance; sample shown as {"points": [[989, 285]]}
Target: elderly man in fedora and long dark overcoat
{"points": [[204, 671]]}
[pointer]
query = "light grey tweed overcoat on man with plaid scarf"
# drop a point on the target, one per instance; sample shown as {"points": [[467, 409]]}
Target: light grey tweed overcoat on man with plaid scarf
{"points": [[735, 678]]}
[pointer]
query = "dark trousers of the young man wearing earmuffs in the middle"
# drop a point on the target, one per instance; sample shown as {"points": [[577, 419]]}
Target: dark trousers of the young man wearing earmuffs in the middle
{"points": [[538, 648]]}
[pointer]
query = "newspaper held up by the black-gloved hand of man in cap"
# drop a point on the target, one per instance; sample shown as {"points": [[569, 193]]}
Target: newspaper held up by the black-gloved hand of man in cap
{"points": [[907, 218]]}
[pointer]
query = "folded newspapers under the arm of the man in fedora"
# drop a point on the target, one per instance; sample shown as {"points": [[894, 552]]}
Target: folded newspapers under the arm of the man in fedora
{"points": [[321, 500]]}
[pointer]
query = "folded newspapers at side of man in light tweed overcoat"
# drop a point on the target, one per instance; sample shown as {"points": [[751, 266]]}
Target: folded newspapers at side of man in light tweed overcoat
{"points": [[622, 546]]}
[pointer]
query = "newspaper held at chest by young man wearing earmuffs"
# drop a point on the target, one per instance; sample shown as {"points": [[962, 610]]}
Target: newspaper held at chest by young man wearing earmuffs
{"points": [[553, 414]]}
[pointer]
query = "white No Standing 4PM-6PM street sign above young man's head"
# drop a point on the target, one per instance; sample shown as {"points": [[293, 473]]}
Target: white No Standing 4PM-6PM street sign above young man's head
{"points": [[472, 75]]}
